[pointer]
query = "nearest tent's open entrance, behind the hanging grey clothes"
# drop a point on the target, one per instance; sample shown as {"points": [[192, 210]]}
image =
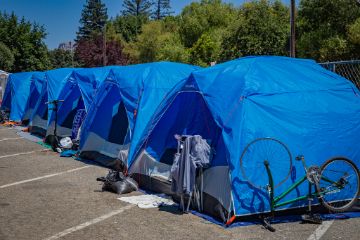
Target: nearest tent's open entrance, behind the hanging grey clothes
{"points": [[187, 114]]}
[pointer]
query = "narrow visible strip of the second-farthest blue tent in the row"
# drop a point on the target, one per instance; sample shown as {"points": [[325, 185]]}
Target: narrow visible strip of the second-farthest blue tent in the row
{"points": [[37, 80]]}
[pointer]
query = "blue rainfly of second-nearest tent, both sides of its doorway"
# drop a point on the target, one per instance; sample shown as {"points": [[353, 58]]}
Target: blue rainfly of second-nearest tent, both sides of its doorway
{"points": [[141, 88]]}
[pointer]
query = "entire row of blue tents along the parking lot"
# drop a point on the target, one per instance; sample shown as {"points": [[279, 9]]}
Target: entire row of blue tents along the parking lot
{"points": [[133, 113]]}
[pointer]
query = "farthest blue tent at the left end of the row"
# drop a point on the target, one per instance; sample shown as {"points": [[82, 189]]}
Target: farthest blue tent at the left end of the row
{"points": [[17, 93]]}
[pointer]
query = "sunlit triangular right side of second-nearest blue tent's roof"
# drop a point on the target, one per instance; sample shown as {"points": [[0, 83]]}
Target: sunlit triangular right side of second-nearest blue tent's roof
{"points": [[146, 86]]}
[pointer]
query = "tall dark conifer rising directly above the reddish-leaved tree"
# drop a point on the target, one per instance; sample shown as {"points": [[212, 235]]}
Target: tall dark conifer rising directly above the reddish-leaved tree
{"points": [[93, 19]]}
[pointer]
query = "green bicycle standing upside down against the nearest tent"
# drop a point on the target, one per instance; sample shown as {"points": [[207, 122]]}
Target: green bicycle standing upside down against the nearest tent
{"points": [[336, 181]]}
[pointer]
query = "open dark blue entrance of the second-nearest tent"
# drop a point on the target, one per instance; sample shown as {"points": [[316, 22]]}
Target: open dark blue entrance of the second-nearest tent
{"points": [[105, 133]]}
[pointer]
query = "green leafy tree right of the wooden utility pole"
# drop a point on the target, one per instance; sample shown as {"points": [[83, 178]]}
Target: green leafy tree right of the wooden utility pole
{"points": [[324, 29]]}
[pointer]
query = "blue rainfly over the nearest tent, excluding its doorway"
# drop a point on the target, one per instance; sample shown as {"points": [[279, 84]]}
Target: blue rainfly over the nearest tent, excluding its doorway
{"points": [[313, 111]]}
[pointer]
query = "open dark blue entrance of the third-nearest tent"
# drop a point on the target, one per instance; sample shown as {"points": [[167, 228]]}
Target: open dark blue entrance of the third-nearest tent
{"points": [[73, 102]]}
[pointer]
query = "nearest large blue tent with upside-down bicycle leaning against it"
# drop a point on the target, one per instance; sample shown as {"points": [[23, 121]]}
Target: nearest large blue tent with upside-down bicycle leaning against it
{"points": [[313, 111]]}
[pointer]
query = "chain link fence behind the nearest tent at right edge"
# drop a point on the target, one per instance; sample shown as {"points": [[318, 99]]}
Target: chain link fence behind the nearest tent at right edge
{"points": [[347, 69]]}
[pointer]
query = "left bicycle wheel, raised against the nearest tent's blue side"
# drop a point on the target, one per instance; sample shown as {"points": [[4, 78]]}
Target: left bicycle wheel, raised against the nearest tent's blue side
{"points": [[275, 153]]}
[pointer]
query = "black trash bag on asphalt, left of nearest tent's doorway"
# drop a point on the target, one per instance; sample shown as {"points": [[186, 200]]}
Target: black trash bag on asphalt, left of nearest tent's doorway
{"points": [[117, 182]]}
